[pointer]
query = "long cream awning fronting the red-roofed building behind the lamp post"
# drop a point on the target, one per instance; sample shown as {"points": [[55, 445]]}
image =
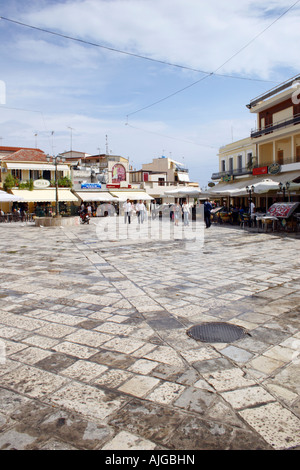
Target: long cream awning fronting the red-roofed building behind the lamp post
{"points": [[45, 195]]}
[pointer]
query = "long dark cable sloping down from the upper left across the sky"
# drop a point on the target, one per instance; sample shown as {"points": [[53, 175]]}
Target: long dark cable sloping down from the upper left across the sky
{"points": [[119, 51]]}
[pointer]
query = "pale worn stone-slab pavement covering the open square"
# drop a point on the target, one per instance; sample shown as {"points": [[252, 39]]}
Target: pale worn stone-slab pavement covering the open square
{"points": [[95, 352]]}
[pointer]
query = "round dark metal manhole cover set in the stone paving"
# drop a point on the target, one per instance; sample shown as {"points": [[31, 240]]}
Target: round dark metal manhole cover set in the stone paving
{"points": [[216, 332]]}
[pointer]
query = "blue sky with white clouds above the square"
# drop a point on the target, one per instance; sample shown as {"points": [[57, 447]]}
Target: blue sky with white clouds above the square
{"points": [[157, 77]]}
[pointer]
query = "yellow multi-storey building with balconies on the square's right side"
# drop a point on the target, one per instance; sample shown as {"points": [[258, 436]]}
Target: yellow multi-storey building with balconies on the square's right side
{"points": [[271, 152]]}
